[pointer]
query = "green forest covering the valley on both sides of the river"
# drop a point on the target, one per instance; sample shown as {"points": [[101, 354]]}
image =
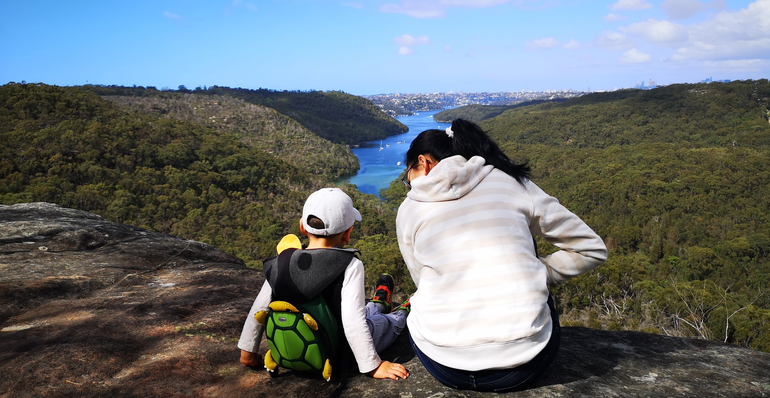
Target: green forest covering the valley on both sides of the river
{"points": [[674, 179]]}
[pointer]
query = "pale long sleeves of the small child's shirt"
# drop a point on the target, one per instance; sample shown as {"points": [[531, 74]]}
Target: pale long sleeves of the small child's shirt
{"points": [[353, 319]]}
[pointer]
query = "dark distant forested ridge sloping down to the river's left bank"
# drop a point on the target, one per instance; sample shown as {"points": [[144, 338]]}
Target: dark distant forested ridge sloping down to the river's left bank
{"points": [[336, 116]]}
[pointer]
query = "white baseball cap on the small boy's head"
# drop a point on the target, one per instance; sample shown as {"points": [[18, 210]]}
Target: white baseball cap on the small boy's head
{"points": [[333, 207]]}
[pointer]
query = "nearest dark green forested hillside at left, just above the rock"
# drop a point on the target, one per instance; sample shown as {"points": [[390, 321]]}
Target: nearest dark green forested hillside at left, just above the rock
{"points": [[71, 147]]}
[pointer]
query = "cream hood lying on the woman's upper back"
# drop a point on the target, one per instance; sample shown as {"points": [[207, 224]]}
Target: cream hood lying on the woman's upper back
{"points": [[452, 178]]}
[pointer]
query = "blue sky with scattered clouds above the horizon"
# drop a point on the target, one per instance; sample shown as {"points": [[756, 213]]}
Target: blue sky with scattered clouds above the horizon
{"points": [[388, 46]]}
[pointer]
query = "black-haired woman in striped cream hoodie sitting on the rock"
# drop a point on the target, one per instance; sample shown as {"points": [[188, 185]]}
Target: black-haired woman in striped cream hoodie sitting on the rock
{"points": [[482, 318]]}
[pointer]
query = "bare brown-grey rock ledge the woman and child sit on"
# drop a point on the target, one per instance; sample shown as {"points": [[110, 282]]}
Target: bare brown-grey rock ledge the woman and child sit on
{"points": [[93, 308]]}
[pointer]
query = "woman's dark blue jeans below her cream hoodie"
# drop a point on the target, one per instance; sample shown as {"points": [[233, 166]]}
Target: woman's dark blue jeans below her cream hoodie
{"points": [[497, 380]]}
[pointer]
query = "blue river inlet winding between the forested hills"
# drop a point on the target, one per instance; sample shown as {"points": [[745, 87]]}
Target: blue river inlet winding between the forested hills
{"points": [[380, 167]]}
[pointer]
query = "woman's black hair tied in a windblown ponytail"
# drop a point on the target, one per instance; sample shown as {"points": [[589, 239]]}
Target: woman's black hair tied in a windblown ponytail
{"points": [[468, 140]]}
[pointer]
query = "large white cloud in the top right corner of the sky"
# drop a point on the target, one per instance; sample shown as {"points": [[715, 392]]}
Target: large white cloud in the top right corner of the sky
{"points": [[738, 35]]}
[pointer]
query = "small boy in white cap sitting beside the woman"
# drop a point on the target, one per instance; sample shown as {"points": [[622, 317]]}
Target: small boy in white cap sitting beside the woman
{"points": [[327, 220]]}
